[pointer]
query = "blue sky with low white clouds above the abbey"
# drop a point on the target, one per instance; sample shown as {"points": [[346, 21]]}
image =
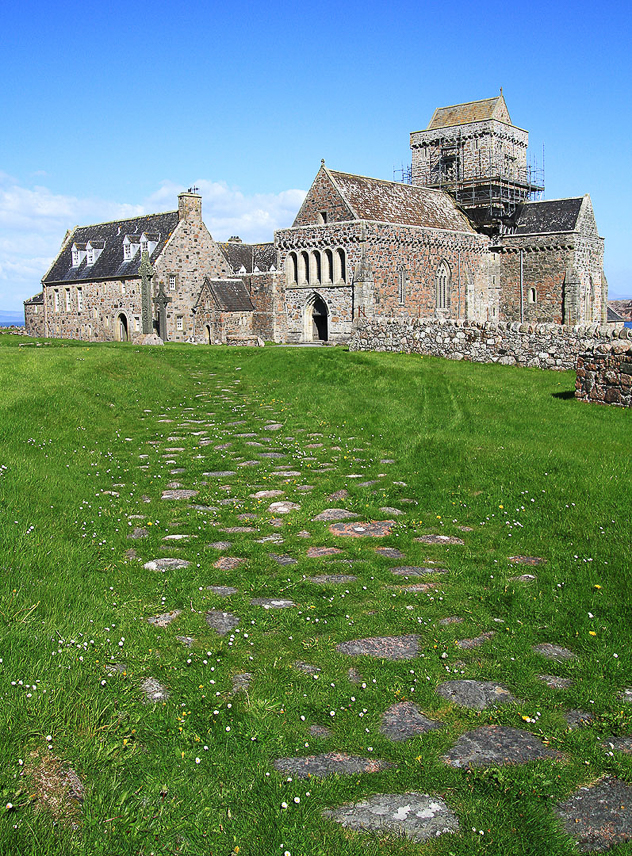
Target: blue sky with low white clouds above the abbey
{"points": [[109, 110]]}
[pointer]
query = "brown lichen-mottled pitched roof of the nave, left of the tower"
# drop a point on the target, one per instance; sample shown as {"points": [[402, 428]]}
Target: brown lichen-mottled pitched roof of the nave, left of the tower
{"points": [[404, 204]]}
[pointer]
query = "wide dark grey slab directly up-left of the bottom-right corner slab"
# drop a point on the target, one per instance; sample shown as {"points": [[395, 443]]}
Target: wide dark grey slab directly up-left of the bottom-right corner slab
{"points": [[497, 745]]}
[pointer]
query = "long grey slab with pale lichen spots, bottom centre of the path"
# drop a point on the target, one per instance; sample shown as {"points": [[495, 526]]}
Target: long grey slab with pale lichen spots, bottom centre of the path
{"points": [[419, 817]]}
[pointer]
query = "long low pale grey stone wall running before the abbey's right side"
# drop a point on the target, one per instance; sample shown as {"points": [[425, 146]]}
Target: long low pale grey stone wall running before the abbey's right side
{"points": [[545, 346]]}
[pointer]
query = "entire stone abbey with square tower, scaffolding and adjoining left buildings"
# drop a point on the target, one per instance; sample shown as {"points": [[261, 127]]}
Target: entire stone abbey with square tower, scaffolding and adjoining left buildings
{"points": [[465, 239]]}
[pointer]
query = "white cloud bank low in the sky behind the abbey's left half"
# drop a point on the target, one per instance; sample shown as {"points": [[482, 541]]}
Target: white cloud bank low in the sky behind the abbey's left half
{"points": [[34, 220]]}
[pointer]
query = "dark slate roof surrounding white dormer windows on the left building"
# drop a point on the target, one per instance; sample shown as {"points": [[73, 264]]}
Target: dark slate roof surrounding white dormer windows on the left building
{"points": [[110, 264]]}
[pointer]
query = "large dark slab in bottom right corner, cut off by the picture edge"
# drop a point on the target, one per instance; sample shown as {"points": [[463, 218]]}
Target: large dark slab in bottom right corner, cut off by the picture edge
{"points": [[598, 817]]}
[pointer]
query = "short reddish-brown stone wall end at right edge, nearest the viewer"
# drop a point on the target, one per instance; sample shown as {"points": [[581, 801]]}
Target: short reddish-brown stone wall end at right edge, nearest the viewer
{"points": [[604, 375]]}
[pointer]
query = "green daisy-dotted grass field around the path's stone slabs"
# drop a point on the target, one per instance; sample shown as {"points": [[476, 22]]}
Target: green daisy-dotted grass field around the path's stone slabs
{"points": [[85, 439]]}
